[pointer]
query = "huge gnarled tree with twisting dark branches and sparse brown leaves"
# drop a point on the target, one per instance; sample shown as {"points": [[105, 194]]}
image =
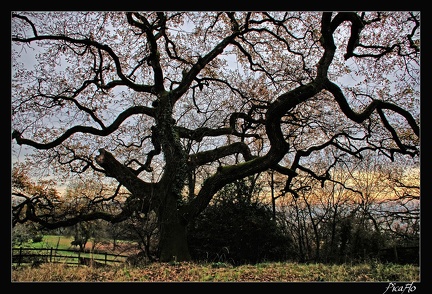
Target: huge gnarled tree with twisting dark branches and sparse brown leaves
{"points": [[173, 106]]}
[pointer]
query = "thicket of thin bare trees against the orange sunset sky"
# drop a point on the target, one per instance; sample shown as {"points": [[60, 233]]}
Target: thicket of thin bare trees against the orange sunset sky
{"points": [[357, 214]]}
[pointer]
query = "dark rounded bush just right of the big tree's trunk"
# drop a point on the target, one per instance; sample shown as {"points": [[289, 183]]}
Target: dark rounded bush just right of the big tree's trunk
{"points": [[239, 233]]}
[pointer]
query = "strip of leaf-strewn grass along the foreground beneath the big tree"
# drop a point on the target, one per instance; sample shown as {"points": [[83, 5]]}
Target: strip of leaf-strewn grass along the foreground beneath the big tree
{"points": [[219, 272]]}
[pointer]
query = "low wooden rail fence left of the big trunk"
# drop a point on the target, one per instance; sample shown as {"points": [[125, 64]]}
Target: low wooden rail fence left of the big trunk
{"points": [[36, 256]]}
